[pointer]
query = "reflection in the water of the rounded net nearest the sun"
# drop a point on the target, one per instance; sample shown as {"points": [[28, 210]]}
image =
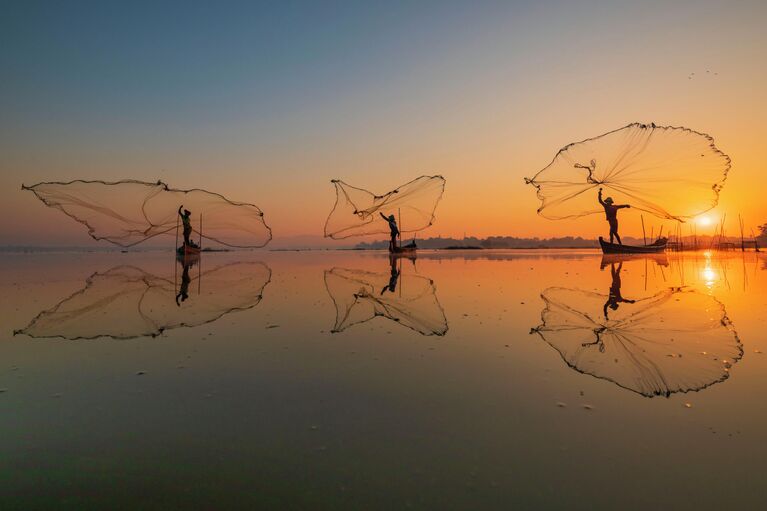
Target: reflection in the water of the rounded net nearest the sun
{"points": [[675, 341]]}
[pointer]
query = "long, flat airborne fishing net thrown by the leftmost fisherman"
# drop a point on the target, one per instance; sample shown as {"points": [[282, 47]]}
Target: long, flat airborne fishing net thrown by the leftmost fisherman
{"points": [[129, 212]]}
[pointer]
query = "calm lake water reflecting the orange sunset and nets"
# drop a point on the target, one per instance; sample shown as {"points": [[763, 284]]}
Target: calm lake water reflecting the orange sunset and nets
{"points": [[336, 380]]}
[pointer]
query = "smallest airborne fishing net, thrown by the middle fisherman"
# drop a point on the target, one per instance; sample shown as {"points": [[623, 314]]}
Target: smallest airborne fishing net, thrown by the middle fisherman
{"points": [[357, 211]]}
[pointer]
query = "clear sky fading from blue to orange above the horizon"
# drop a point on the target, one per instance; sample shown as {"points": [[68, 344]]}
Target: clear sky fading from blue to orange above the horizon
{"points": [[266, 102]]}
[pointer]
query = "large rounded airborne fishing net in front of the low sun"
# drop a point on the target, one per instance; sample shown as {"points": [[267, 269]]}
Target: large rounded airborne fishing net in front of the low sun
{"points": [[671, 172]]}
